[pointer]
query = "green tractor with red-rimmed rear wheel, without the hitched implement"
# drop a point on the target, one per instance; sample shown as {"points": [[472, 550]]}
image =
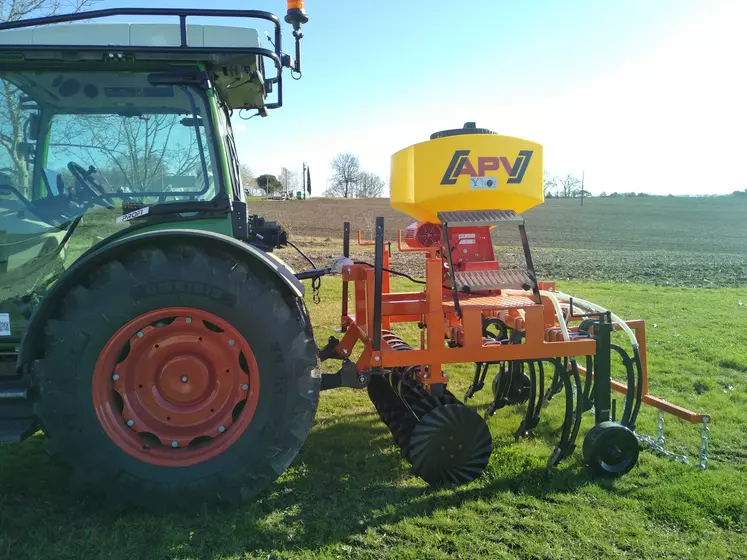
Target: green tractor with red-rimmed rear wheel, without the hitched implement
{"points": [[145, 325]]}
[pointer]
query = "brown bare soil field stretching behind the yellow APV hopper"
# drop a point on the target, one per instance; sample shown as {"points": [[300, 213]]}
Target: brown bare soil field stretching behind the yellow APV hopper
{"points": [[666, 241]]}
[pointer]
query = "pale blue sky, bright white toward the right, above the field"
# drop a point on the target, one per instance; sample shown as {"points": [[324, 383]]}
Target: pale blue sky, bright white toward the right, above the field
{"points": [[644, 95]]}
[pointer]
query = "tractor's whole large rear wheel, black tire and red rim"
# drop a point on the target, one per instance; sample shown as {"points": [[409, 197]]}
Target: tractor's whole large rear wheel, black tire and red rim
{"points": [[178, 376]]}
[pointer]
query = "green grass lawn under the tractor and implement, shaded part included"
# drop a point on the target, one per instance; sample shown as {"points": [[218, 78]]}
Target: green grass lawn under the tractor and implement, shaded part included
{"points": [[350, 495]]}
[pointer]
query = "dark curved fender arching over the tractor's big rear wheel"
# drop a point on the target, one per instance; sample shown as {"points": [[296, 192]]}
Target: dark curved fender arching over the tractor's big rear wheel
{"points": [[77, 271]]}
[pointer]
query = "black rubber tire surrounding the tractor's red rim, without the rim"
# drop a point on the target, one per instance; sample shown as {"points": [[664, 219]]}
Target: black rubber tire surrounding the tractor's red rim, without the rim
{"points": [[273, 322]]}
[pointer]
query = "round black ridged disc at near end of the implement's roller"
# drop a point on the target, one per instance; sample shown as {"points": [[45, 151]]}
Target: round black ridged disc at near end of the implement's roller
{"points": [[451, 444]]}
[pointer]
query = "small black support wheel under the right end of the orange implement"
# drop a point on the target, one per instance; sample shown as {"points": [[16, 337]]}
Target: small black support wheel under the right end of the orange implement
{"points": [[610, 449]]}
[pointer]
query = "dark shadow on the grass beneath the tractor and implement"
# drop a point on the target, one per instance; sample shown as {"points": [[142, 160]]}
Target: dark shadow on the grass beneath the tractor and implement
{"points": [[349, 477]]}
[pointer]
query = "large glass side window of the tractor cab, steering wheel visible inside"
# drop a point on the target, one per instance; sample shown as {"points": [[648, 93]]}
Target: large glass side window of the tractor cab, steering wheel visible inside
{"points": [[79, 151]]}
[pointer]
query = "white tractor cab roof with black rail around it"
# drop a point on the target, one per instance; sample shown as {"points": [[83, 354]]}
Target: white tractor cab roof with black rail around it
{"points": [[232, 54]]}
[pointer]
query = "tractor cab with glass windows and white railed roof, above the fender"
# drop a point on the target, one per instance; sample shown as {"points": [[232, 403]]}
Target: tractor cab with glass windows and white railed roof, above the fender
{"points": [[111, 127]]}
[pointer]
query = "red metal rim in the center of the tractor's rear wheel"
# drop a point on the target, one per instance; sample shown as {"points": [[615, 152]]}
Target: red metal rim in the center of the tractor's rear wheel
{"points": [[176, 387]]}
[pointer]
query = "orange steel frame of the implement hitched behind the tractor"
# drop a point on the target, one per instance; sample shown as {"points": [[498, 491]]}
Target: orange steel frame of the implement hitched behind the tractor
{"points": [[434, 310]]}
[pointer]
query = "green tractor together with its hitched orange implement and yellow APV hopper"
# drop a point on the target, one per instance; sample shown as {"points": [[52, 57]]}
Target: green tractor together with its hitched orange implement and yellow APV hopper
{"points": [[149, 329]]}
